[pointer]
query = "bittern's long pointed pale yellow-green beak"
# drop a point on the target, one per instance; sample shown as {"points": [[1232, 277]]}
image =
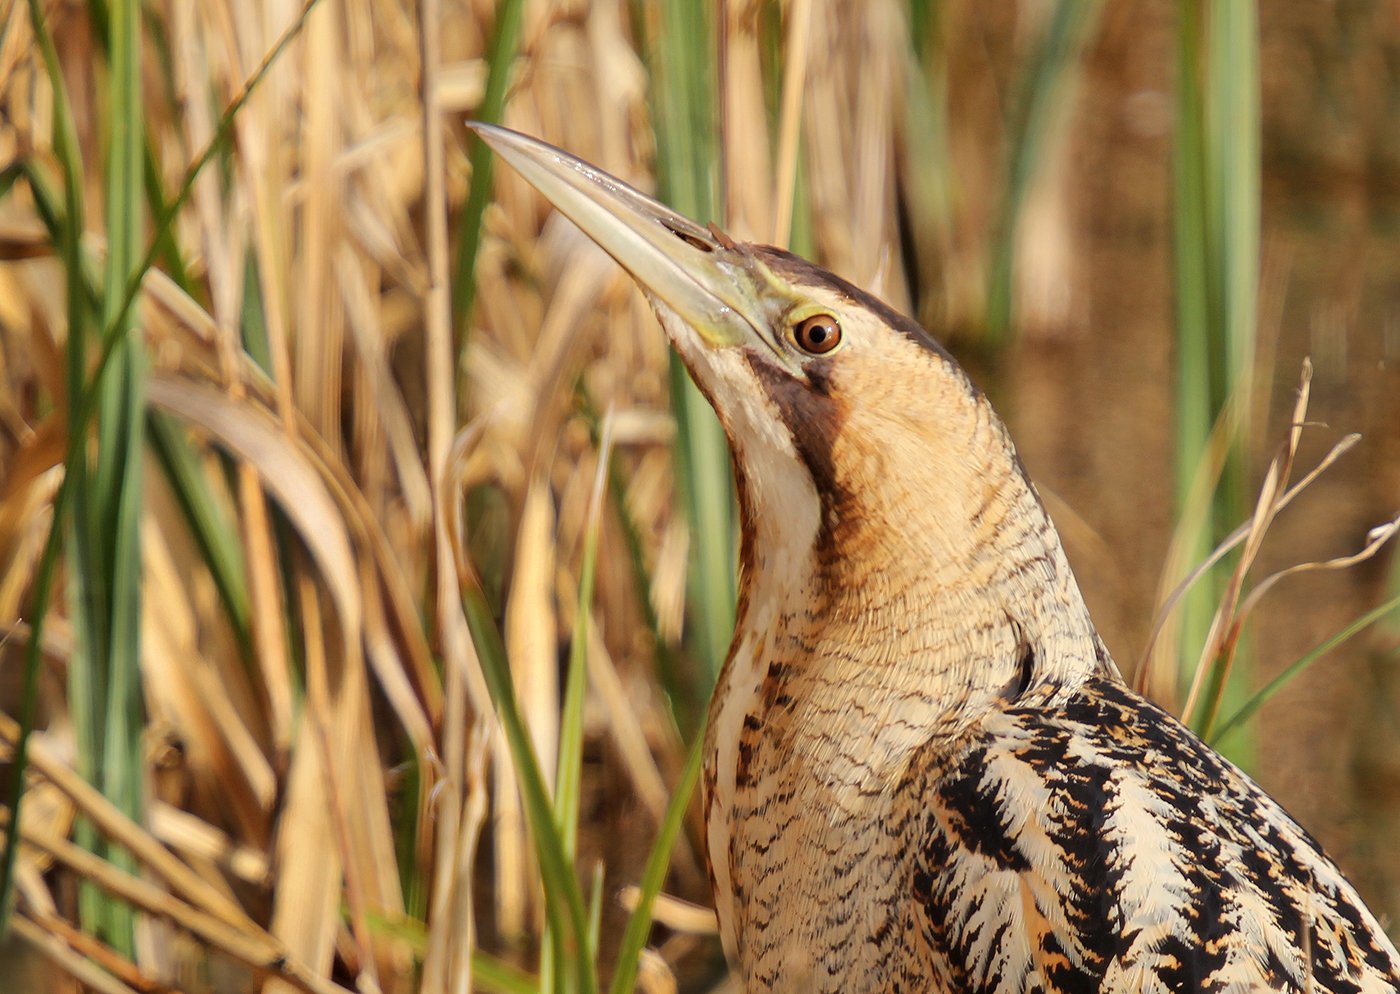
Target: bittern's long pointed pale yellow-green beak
{"points": [[685, 267]]}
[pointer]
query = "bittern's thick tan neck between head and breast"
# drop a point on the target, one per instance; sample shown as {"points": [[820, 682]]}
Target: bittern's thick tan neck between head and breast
{"points": [[920, 601]]}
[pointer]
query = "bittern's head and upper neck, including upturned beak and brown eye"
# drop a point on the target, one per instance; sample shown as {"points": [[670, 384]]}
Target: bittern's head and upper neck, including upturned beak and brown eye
{"points": [[873, 475]]}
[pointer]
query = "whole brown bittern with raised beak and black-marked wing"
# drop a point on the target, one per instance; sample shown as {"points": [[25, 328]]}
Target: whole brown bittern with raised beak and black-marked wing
{"points": [[923, 771]]}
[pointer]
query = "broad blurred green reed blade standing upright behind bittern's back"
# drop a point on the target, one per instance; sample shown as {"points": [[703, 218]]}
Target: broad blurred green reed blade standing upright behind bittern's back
{"points": [[1216, 162]]}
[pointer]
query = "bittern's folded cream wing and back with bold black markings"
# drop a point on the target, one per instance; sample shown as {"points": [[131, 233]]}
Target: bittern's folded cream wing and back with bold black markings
{"points": [[1095, 845]]}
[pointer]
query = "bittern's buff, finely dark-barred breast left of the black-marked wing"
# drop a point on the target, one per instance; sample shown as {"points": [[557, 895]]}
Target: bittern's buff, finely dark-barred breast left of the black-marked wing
{"points": [[813, 729]]}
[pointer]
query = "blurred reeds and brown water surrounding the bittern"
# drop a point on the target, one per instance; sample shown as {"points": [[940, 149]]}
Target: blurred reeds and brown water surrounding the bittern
{"points": [[323, 443]]}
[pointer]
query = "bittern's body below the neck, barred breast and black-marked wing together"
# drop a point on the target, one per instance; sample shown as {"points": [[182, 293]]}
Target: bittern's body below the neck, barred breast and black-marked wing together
{"points": [[1073, 842]]}
